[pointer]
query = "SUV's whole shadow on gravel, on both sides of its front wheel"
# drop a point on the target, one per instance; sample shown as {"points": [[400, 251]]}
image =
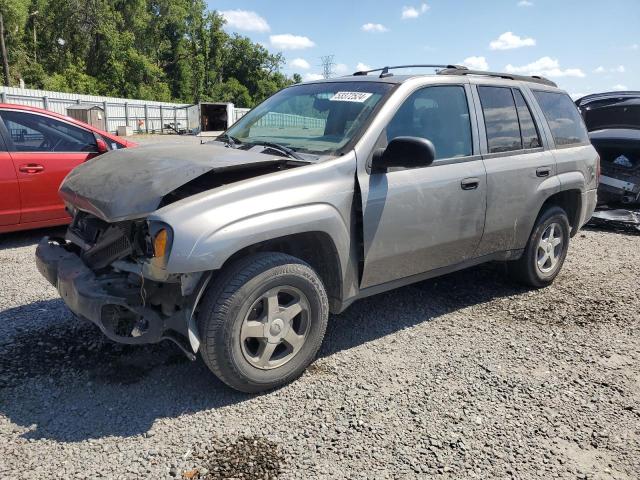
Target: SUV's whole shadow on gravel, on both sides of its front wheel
{"points": [[69, 383]]}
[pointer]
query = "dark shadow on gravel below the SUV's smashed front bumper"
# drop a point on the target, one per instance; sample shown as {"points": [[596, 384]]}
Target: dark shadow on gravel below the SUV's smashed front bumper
{"points": [[69, 383]]}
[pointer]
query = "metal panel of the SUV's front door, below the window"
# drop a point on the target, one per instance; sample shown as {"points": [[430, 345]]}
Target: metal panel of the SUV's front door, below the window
{"points": [[421, 219]]}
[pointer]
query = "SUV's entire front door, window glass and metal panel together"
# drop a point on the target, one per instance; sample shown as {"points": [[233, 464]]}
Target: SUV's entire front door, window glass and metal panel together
{"points": [[420, 219]]}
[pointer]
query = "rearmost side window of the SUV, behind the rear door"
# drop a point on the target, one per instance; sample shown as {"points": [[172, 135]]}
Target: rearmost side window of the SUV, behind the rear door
{"points": [[563, 117]]}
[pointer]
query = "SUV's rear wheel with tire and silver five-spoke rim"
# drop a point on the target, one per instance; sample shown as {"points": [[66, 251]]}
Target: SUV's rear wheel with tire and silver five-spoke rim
{"points": [[528, 269]]}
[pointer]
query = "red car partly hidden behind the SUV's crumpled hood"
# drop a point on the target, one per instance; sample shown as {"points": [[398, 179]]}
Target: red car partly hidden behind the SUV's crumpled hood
{"points": [[37, 150]]}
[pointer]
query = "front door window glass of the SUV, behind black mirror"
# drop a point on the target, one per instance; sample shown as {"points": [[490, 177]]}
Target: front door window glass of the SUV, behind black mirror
{"points": [[439, 114]]}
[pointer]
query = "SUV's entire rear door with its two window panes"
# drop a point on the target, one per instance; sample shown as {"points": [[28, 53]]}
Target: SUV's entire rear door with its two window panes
{"points": [[521, 171]]}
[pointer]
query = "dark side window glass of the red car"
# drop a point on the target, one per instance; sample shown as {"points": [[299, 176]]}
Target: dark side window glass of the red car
{"points": [[32, 132]]}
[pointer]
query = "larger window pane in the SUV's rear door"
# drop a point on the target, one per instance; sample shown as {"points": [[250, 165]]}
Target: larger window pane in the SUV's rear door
{"points": [[500, 118]]}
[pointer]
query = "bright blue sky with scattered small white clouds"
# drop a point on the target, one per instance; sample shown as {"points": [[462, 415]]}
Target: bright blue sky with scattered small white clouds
{"points": [[585, 46]]}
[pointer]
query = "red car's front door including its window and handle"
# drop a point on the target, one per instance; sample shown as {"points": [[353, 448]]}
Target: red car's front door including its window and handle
{"points": [[43, 151]]}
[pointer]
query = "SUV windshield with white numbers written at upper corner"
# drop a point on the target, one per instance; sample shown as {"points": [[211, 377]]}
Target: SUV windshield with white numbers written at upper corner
{"points": [[320, 118]]}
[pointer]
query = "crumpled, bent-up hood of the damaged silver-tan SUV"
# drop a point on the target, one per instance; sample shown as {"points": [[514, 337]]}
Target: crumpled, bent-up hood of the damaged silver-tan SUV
{"points": [[130, 183]]}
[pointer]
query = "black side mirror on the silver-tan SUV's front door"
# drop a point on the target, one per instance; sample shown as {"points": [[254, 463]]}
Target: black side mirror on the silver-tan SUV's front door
{"points": [[407, 152]]}
